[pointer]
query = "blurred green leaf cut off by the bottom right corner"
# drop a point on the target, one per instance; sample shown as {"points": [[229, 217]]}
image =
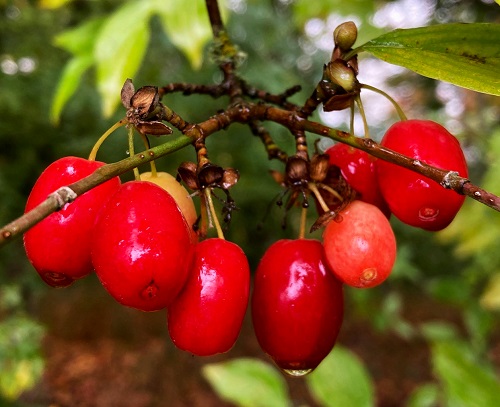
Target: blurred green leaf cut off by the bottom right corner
{"points": [[465, 381]]}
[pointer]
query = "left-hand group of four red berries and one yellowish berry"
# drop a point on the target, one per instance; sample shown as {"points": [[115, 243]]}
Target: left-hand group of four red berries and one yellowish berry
{"points": [[139, 242]]}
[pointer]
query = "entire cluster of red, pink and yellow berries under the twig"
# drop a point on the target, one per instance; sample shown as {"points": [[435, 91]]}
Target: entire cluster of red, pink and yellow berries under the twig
{"points": [[139, 239]]}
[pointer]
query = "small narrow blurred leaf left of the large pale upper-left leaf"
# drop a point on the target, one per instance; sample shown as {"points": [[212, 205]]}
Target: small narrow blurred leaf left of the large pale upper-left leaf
{"points": [[68, 83]]}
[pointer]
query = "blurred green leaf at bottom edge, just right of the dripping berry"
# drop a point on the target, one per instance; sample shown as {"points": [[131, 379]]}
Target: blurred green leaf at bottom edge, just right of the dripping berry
{"points": [[341, 380]]}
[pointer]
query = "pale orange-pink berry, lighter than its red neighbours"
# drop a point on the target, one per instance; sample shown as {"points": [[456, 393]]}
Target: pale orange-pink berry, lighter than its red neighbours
{"points": [[360, 246]]}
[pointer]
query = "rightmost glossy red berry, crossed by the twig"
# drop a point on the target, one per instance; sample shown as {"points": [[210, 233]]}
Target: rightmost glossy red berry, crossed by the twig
{"points": [[414, 199]]}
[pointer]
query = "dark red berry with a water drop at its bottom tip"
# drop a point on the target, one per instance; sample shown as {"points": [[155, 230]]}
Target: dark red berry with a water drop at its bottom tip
{"points": [[297, 305]]}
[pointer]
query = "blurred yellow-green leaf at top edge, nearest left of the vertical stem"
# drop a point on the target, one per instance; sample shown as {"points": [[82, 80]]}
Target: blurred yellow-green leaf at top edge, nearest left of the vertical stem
{"points": [[188, 27]]}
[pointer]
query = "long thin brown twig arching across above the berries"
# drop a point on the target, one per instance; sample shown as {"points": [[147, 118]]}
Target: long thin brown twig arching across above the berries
{"points": [[246, 113]]}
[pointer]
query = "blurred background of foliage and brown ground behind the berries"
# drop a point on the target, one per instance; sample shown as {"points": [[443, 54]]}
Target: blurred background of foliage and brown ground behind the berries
{"points": [[77, 347]]}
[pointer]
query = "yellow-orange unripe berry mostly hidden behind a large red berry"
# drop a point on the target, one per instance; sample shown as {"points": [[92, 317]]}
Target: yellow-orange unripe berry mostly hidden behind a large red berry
{"points": [[178, 192]]}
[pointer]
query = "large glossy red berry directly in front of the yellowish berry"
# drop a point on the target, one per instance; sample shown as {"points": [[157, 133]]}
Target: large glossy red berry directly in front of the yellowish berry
{"points": [[142, 247]]}
